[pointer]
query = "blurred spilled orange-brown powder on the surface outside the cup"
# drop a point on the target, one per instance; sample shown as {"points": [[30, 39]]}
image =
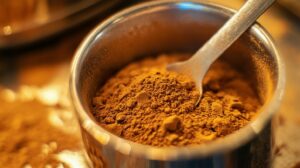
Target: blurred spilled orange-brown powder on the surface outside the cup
{"points": [[28, 139]]}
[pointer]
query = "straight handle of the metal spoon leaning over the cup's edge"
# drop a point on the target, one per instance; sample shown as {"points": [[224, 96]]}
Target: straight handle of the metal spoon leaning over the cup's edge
{"points": [[229, 32]]}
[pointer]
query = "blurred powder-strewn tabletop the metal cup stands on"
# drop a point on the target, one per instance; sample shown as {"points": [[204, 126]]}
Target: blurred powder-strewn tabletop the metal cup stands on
{"points": [[34, 99]]}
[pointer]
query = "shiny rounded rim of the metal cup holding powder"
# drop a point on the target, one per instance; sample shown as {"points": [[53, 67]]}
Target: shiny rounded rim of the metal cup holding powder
{"points": [[127, 147]]}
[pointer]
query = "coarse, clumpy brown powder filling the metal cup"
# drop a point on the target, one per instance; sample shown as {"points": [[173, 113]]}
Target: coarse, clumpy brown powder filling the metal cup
{"points": [[147, 104]]}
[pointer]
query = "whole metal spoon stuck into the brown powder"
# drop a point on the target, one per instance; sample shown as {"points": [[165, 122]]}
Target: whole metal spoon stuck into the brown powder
{"points": [[197, 66]]}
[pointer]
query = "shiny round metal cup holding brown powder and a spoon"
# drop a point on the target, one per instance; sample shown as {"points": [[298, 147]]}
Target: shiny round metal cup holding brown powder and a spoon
{"points": [[174, 26]]}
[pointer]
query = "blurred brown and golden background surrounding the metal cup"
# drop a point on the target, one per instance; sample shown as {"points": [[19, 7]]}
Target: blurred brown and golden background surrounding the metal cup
{"points": [[37, 41]]}
